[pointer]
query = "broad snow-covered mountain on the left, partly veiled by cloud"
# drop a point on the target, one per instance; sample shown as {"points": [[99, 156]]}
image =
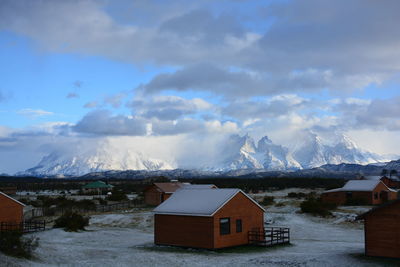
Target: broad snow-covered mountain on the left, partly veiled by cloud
{"points": [[103, 158]]}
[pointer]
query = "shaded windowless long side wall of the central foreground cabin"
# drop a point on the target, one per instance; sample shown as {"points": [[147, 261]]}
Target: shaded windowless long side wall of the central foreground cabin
{"points": [[185, 231]]}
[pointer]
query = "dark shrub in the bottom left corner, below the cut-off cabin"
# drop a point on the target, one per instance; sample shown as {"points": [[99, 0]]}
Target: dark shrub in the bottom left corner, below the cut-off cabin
{"points": [[12, 243]]}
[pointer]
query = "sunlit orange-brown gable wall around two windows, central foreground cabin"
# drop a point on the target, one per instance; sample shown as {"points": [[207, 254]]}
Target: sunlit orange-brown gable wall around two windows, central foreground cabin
{"points": [[239, 207]]}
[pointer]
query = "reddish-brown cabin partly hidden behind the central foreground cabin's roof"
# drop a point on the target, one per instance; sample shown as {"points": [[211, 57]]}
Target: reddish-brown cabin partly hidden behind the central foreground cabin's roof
{"points": [[157, 193]]}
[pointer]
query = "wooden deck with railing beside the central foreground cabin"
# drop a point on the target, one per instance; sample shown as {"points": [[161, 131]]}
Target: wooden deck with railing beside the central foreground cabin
{"points": [[269, 236]]}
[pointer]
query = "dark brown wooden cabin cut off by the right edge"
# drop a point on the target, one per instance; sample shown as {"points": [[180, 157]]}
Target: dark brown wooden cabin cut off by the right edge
{"points": [[382, 230]]}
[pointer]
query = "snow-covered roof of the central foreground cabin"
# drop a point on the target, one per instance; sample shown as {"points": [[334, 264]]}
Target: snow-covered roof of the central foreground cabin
{"points": [[201, 202]]}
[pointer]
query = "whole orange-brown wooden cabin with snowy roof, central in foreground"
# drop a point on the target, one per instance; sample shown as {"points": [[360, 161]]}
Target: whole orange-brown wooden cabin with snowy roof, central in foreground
{"points": [[207, 218]]}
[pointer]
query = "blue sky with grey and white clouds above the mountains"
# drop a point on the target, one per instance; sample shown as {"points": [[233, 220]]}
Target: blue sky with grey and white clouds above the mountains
{"points": [[170, 76]]}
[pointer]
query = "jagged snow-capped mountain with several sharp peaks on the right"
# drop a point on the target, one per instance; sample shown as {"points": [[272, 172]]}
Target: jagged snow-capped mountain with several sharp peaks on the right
{"points": [[242, 153]]}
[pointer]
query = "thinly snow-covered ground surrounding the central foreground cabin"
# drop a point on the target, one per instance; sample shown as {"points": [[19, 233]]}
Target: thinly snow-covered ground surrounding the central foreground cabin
{"points": [[126, 239]]}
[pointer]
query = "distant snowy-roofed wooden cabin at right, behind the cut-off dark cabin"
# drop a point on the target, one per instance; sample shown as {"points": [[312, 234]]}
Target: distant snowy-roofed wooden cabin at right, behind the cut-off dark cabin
{"points": [[368, 192]]}
